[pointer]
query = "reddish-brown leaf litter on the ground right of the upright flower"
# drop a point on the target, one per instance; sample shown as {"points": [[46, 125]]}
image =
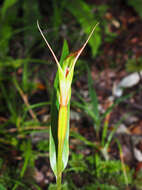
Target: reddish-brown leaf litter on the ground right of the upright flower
{"points": [[107, 70]]}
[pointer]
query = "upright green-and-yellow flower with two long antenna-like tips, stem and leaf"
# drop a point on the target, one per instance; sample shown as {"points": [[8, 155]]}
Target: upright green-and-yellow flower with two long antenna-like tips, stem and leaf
{"points": [[59, 132]]}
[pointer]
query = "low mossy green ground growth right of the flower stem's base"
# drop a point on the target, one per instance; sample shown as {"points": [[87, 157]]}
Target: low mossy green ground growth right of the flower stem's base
{"points": [[95, 172]]}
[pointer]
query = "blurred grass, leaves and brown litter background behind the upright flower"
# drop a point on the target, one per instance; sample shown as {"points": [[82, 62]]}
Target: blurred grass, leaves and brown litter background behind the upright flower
{"points": [[106, 124]]}
